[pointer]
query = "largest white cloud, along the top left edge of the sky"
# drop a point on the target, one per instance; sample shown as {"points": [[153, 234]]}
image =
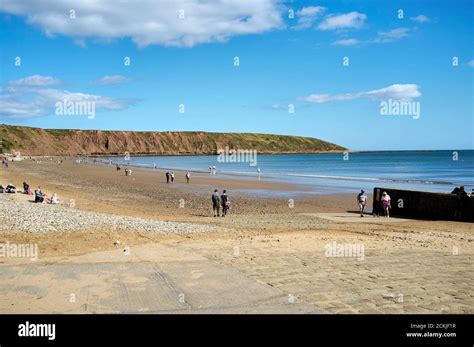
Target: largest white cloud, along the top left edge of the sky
{"points": [[149, 22]]}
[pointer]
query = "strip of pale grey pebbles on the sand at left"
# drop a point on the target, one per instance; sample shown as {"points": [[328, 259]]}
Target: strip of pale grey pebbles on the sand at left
{"points": [[44, 218]]}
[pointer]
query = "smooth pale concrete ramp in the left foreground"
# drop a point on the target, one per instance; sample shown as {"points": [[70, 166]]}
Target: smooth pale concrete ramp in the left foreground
{"points": [[151, 279]]}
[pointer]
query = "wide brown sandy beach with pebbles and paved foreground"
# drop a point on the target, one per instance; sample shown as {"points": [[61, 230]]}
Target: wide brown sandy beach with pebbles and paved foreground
{"points": [[266, 244]]}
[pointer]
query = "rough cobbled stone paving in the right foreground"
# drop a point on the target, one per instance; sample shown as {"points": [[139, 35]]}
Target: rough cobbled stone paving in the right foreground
{"points": [[385, 281]]}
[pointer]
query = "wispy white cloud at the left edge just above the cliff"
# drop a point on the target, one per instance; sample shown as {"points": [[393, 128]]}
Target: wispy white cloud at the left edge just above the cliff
{"points": [[32, 96]]}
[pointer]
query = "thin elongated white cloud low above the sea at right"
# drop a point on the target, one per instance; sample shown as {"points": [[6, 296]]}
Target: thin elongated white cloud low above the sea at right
{"points": [[395, 92]]}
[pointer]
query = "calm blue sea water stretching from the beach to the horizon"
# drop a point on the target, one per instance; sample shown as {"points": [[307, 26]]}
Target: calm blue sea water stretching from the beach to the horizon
{"points": [[331, 173]]}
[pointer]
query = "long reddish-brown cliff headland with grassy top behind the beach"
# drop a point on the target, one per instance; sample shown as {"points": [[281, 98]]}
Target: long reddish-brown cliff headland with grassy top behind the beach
{"points": [[35, 141]]}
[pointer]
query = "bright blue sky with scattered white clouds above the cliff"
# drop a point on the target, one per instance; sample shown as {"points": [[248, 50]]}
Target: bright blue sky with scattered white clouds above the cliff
{"points": [[284, 61]]}
